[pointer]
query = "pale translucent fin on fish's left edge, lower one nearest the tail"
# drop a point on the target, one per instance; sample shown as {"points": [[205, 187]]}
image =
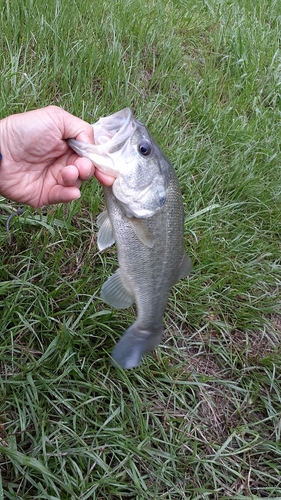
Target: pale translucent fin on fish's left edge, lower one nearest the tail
{"points": [[115, 293]]}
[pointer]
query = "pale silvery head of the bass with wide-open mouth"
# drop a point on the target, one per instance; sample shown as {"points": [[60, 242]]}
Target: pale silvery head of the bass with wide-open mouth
{"points": [[125, 149]]}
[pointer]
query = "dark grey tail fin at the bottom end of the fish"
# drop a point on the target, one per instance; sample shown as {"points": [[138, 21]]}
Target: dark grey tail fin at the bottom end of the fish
{"points": [[134, 344]]}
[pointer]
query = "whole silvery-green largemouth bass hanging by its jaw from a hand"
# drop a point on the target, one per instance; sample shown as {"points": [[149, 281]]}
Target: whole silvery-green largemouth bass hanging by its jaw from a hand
{"points": [[144, 216]]}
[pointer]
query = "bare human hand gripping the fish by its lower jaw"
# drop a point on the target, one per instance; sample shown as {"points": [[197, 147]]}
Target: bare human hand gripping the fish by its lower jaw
{"points": [[38, 167]]}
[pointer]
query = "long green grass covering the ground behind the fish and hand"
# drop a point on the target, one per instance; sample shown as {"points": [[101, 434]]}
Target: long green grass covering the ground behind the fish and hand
{"points": [[200, 418]]}
